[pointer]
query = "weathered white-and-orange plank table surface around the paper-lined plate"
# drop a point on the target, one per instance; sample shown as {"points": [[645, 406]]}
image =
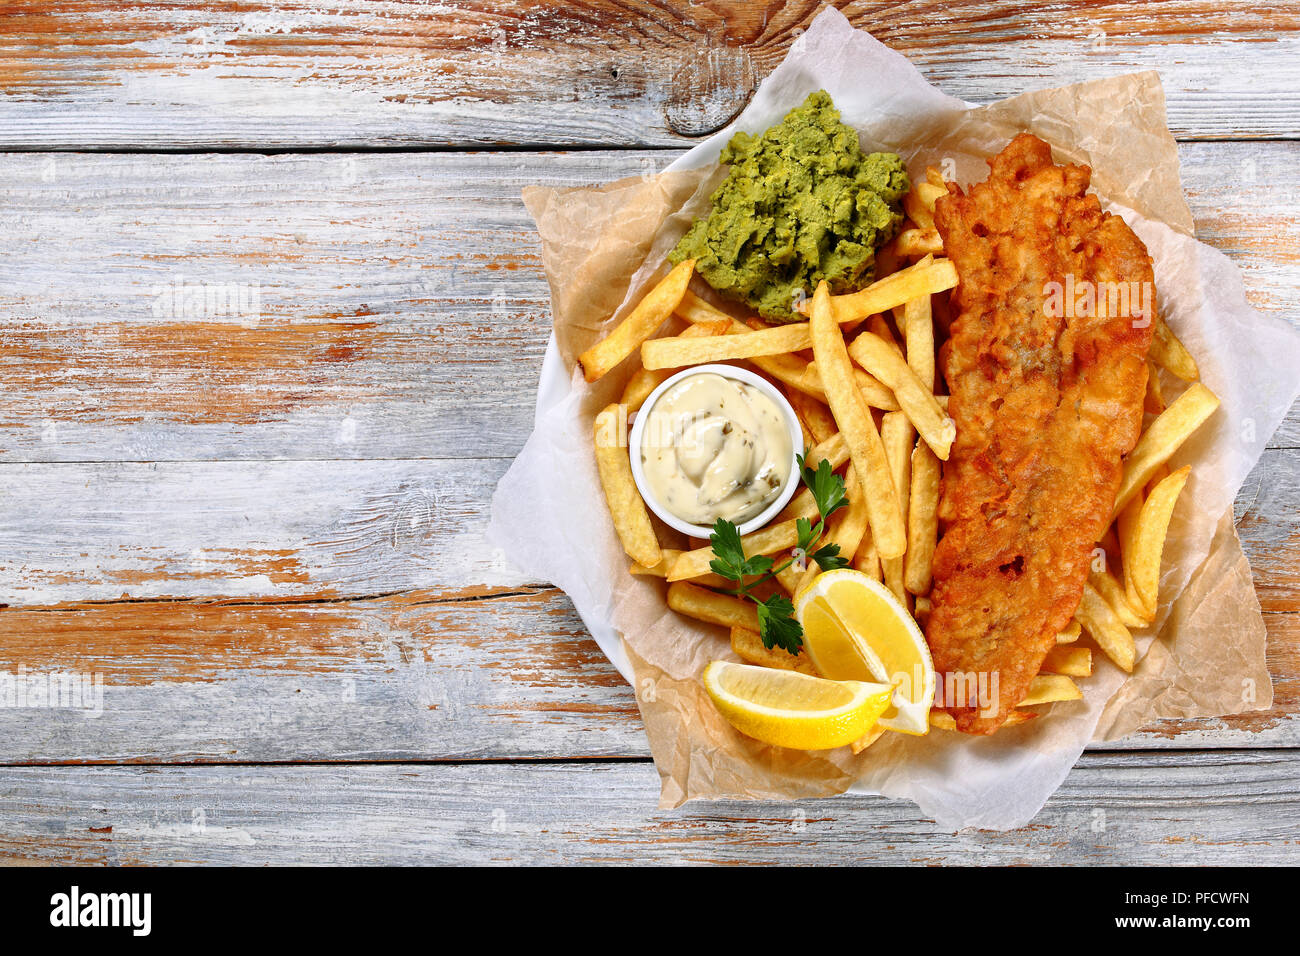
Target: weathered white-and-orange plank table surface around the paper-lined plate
{"points": [[272, 323]]}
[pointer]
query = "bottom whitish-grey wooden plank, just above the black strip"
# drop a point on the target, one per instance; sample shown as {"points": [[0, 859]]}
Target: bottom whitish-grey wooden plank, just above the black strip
{"points": [[1120, 810]]}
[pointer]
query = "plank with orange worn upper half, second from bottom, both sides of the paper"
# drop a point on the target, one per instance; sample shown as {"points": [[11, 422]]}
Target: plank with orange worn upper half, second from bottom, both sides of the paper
{"points": [[483, 674]]}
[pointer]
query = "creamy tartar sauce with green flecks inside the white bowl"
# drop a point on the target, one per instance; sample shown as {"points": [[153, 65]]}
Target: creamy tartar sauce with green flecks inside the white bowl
{"points": [[716, 448]]}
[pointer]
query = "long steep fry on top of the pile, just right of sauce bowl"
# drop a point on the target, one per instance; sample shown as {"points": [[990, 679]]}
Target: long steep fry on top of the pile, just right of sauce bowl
{"points": [[860, 432]]}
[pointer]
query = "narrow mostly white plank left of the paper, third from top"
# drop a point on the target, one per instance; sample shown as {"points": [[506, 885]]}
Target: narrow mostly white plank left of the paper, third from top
{"points": [[246, 530]]}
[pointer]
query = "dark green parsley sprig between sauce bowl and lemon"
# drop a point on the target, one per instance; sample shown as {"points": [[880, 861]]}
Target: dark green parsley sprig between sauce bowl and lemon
{"points": [[777, 624]]}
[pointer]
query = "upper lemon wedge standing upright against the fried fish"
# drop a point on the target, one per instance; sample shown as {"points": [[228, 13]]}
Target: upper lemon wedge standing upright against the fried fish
{"points": [[856, 630]]}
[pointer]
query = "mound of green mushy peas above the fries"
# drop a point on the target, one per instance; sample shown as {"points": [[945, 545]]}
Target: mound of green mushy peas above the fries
{"points": [[801, 204]]}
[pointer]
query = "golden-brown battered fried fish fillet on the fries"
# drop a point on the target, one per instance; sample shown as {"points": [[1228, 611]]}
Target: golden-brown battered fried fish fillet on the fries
{"points": [[1047, 384]]}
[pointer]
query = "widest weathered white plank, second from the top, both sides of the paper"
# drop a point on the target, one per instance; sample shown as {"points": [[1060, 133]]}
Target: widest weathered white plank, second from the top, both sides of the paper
{"points": [[397, 306]]}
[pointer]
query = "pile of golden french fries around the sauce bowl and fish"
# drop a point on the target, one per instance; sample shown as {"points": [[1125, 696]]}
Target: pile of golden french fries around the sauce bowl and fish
{"points": [[861, 377]]}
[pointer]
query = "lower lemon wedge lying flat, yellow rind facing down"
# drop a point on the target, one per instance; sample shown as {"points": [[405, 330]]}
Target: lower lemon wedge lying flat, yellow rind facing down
{"points": [[792, 710]]}
